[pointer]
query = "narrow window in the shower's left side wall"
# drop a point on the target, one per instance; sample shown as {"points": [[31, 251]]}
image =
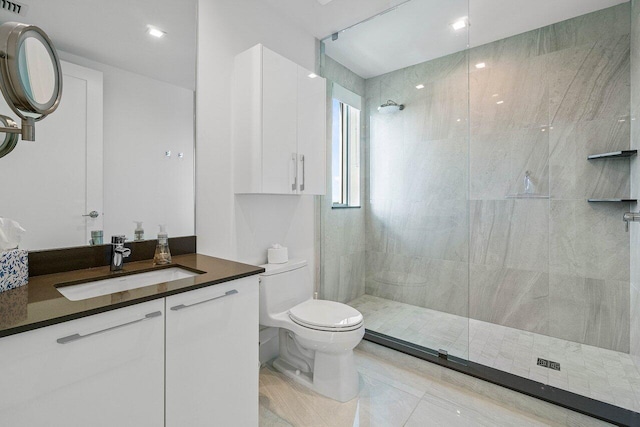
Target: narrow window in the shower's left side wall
{"points": [[345, 155]]}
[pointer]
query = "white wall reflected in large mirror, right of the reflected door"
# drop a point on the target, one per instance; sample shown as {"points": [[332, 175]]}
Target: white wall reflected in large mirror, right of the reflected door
{"points": [[143, 118]]}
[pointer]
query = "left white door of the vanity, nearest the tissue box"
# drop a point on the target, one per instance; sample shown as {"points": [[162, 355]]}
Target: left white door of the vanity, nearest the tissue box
{"points": [[101, 370]]}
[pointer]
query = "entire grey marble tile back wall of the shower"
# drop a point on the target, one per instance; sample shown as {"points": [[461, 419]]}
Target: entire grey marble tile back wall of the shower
{"points": [[440, 231]]}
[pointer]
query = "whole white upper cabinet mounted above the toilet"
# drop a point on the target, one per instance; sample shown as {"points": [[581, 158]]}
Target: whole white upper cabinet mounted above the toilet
{"points": [[279, 122]]}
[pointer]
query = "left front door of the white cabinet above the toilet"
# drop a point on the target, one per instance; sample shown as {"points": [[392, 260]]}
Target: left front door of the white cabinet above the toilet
{"points": [[279, 100]]}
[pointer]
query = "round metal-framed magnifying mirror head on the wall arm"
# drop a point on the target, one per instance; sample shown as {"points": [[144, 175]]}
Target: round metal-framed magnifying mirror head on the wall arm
{"points": [[30, 70]]}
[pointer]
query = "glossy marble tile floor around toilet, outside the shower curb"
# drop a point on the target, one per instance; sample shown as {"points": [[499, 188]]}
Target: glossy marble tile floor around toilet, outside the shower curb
{"points": [[400, 390]]}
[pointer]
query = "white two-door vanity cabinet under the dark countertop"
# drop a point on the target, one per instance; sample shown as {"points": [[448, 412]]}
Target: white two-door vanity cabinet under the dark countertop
{"points": [[189, 359]]}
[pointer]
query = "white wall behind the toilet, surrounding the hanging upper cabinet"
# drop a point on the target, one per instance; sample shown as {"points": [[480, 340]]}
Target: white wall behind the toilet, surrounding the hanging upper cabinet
{"points": [[230, 226]]}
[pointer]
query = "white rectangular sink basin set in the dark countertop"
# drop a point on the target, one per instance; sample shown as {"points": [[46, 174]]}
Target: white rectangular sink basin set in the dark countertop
{"points": [[123, 283]]}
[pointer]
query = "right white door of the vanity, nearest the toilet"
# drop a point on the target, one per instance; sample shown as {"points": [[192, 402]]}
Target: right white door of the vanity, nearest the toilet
{"points": [[212, 356]]}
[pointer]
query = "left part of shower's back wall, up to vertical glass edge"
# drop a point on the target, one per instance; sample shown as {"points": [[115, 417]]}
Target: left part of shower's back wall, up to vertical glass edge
{"points": [[417, 226]]}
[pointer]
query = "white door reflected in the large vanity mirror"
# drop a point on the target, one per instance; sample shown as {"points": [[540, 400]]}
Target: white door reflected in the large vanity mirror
{"points": [[50, 183]]}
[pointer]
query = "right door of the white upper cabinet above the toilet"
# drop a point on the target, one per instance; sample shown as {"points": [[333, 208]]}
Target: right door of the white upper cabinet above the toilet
{"points": [[312, 106]]}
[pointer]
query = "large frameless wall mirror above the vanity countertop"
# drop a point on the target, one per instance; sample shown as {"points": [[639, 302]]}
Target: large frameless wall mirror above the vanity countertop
{"points": [[120, 146]]}
